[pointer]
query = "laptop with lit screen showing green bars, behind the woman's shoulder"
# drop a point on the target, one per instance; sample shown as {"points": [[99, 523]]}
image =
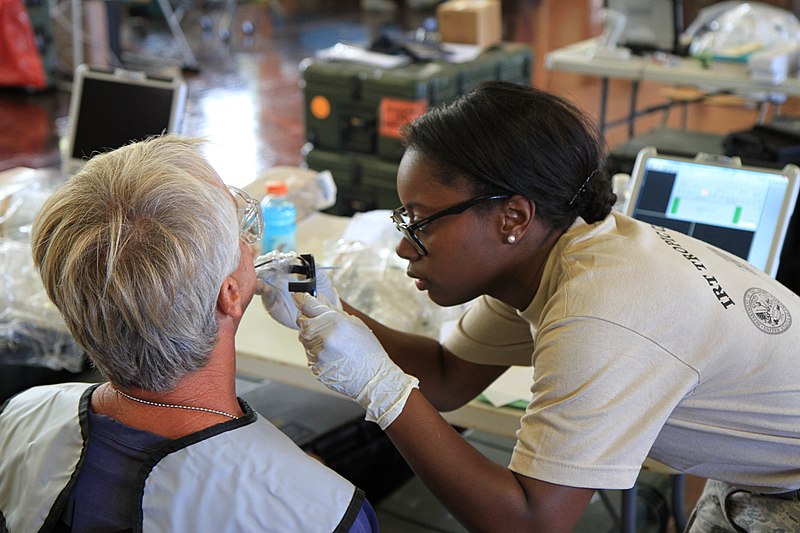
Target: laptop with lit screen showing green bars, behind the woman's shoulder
{"points": [[741, 209]]}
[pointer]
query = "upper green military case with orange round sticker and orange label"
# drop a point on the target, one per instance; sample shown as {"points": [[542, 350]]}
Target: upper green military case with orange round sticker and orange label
{"points": [[363, 107]]}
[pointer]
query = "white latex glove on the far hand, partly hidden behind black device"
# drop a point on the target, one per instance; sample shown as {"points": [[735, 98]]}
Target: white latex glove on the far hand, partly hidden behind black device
{"points": [[272, 284]]}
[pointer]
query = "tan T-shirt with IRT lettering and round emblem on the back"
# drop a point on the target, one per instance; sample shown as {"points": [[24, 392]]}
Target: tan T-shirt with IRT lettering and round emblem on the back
{"points": [[645, 341]]}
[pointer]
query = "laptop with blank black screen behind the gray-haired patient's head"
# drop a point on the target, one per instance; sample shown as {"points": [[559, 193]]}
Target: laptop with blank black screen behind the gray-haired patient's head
{"points": [[110, 108]]}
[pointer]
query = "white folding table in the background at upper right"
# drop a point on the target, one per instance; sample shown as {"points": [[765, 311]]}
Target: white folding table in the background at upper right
{"points": [[715, 76]]}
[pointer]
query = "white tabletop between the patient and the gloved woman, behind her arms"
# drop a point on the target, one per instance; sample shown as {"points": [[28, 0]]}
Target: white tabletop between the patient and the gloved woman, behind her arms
{"points": [[266, 349]]}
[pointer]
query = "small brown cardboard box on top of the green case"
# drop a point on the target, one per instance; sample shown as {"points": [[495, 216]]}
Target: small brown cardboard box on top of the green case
{"points": [[476, 22]]}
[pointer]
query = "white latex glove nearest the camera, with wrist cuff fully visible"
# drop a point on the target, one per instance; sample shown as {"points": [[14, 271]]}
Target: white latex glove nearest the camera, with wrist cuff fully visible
{"points": [[346, 357]]}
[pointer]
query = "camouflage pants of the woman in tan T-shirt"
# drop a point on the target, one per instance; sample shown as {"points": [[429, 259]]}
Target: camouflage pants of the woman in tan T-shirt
{"points": [[724, 508]]}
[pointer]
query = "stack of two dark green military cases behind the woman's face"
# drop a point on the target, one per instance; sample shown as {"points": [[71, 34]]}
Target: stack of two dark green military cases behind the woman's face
{"points": [[353, 115]]}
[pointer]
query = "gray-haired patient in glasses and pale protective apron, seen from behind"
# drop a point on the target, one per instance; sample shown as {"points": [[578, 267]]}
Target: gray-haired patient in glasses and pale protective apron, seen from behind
{"points": [[148, 256]]}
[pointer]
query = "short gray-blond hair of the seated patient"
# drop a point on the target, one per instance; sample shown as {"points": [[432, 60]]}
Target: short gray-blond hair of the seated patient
{"points": [[133, 250]]}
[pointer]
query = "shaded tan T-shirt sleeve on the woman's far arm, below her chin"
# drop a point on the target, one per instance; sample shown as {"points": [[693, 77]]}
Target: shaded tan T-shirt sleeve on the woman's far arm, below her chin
{"points": [[491, 332]]}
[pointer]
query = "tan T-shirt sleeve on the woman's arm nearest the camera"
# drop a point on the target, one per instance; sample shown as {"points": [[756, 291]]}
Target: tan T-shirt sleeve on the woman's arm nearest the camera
{"points": [[601, 395]]}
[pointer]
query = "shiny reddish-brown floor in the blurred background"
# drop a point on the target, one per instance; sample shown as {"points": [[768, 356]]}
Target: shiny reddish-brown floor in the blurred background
{"points": [[246, 98]]}
